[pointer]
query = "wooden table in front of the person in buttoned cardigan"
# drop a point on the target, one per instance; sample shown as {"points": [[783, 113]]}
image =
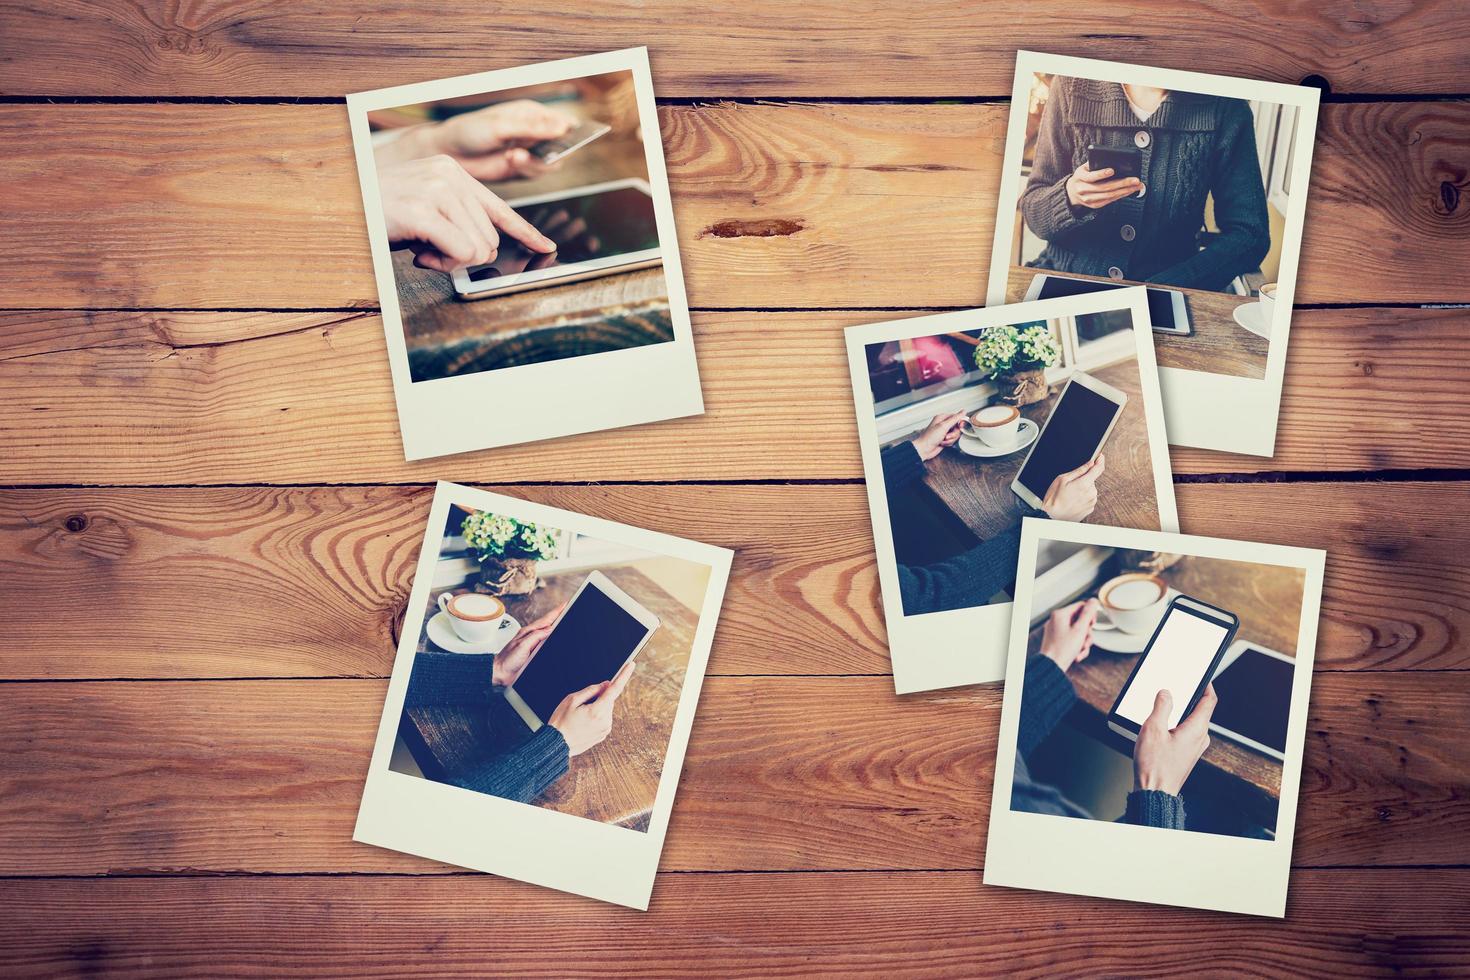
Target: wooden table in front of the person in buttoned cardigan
{"points": [[1218, 346]]}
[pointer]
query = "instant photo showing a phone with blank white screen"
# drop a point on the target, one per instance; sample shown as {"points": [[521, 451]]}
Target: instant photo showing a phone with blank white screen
{"points": [[1155, 716]]}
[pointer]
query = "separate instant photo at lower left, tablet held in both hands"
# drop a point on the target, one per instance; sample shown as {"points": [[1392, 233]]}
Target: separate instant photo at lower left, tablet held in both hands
{"points": [[543, 696]]}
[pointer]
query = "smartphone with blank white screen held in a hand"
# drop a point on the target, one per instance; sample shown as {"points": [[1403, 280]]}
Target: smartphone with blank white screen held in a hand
{"points": [[1181, 657]]}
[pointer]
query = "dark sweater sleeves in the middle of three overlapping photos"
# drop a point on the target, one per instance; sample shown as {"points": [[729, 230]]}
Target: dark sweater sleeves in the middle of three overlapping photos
{"points": [[967, 580]]}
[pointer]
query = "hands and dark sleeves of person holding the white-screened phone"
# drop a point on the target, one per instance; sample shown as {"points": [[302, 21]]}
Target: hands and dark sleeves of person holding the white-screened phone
{"points": [[1164, 757]]}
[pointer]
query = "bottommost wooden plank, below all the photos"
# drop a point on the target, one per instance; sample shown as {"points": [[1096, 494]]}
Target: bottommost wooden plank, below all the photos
{"points": [[1338, 923]]}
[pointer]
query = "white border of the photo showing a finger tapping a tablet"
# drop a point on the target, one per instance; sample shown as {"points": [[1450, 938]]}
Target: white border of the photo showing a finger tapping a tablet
{"points": [[576, 394]]}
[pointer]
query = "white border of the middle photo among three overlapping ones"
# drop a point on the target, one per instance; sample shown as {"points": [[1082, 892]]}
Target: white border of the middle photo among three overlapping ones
{"points": [[968, 646]]}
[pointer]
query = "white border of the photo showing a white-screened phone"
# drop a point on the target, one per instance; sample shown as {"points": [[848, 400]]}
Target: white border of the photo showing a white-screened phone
{"points": [[1116, 860]]}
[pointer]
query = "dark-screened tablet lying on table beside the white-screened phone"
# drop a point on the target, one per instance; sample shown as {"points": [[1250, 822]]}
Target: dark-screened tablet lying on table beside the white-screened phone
{"points": [[1255, 690]]}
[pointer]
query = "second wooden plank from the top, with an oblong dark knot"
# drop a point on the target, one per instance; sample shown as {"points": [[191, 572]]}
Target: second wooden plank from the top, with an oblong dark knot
{"points": [[893, 203]]}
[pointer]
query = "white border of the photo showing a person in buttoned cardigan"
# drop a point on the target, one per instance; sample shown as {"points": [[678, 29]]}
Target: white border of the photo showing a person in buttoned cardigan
{"points": [[1193, 399]]}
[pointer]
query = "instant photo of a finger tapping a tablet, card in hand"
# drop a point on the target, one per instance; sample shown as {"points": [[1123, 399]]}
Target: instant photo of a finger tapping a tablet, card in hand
{"points": [[526, 253]]}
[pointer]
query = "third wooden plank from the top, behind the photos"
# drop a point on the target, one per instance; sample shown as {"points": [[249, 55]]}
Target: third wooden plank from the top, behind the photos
{"points": [[170, 397]]}
